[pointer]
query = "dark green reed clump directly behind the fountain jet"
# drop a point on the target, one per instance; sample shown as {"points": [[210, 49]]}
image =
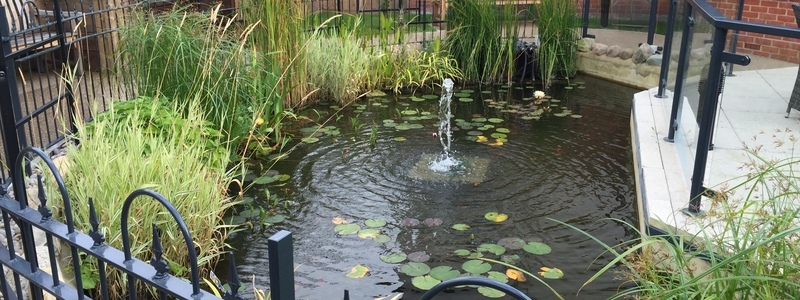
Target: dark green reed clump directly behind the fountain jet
{"points": [[477, 41]]}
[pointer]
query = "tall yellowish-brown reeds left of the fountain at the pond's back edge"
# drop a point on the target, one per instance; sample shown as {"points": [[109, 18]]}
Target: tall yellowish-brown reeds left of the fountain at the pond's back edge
{"points": [[278, 41]]}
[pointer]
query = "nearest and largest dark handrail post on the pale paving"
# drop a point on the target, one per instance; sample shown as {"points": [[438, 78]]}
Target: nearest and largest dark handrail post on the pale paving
{"points": [[706, 121]]}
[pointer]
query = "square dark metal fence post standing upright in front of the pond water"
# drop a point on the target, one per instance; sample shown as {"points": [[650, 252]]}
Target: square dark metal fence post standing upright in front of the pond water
{"points": [[281, 266]]}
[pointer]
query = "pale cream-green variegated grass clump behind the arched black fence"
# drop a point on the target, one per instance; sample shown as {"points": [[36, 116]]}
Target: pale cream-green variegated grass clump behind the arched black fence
{"points": [[173, 162]]}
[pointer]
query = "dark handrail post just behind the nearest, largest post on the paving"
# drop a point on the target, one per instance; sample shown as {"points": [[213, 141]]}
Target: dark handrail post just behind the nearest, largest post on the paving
{"points": [[683, 65]]}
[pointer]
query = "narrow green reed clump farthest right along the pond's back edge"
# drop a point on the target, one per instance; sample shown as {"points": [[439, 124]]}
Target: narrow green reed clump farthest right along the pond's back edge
{"points": [[558, 35]]}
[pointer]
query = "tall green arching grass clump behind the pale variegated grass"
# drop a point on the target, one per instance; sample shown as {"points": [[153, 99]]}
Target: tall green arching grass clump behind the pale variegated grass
{"points": [[187, 57]]}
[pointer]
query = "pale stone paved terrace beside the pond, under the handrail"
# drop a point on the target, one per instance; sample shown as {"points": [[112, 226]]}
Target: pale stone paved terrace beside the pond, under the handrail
{"points": [[750, 119]]}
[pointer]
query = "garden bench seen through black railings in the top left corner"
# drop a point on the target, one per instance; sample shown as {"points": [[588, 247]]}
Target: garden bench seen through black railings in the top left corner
{"points": [[28, 33]]}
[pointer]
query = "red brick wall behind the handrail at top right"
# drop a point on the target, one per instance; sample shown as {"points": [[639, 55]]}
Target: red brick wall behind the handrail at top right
{"points": [[774, 12]]}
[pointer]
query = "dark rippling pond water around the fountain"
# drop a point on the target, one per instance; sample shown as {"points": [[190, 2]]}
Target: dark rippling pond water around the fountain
{"points": [[573, 166]]}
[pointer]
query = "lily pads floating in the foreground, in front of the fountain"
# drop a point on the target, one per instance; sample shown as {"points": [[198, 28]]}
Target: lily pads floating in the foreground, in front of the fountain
{"points": [[424, 277]]}
